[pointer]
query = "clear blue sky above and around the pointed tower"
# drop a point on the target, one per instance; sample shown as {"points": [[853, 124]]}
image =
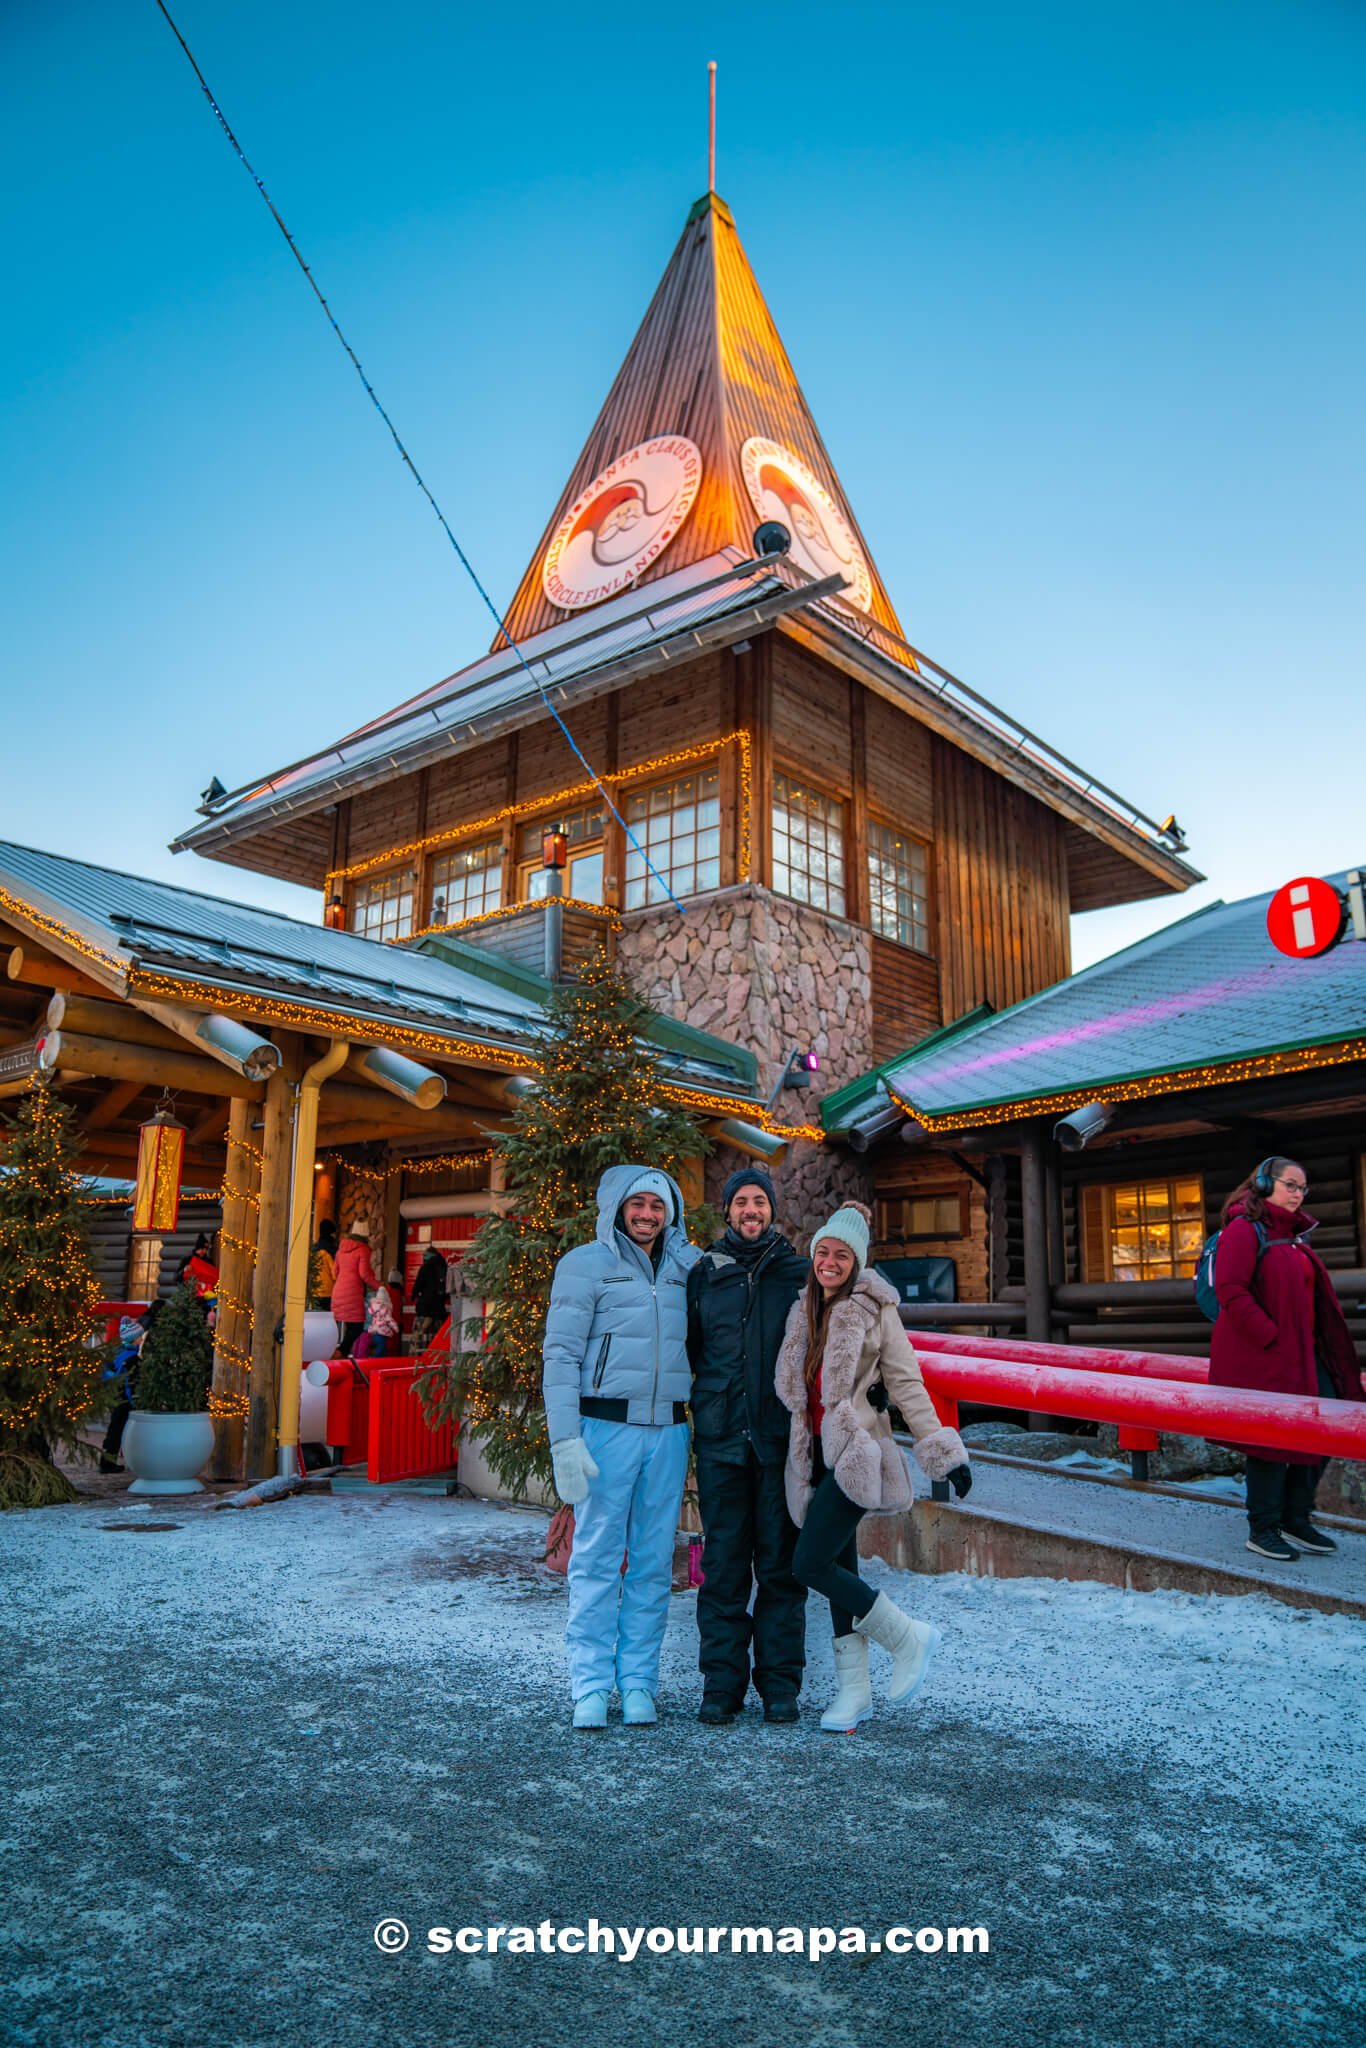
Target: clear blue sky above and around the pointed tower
{"points": [[1076, 296]]}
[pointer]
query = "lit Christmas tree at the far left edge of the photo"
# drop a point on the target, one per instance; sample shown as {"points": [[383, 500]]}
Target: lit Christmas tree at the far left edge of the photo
{"points": [[50, 1375]]}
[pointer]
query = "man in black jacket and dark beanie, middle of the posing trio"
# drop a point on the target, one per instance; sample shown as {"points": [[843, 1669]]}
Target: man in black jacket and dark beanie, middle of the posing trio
{"points": [[738, 1302]]}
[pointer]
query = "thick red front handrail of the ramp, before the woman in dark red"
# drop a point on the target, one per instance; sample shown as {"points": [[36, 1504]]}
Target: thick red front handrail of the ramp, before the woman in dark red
{"points": [[1228, 1414]]}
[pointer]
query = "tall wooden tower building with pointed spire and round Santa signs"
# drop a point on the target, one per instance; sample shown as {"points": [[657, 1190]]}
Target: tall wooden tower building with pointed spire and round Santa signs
{"points": [[816, 835]]}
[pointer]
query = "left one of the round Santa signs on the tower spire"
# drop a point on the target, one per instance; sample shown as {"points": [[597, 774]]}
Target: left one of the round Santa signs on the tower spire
{"points": [[622, 523]]}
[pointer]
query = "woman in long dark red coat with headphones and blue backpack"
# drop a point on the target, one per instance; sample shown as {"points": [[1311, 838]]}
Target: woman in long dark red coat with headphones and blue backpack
{"points": [[1281, 1332]]}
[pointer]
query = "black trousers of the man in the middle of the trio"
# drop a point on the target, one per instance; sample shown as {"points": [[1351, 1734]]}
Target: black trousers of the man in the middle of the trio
{"points": [[749, 1543]]}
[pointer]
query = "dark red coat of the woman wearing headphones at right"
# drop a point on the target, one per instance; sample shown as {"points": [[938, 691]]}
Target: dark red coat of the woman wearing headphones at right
{"points": [[1279, 1316]]}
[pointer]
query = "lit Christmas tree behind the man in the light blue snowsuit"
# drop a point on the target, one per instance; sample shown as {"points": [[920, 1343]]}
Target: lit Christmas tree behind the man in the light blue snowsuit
{"points": [[597, 1105]]}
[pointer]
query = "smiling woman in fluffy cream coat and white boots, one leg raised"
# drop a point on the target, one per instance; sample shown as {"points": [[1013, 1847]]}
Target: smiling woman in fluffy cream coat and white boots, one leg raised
{"points": [[843, 1345]]}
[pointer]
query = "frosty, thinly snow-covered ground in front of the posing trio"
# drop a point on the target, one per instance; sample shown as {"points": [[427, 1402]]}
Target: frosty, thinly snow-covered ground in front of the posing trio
{"points": [[239, 1746]]}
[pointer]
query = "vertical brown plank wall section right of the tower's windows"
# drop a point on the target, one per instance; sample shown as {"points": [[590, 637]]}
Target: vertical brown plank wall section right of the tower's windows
{"points": [[1000, 884]]}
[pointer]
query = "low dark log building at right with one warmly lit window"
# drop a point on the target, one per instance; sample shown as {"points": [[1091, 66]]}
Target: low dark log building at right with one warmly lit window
{"points": [[1072, 1154]]}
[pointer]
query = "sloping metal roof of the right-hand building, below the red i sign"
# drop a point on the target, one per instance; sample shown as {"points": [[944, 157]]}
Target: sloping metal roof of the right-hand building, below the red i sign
{"points": [[1205, 992]]}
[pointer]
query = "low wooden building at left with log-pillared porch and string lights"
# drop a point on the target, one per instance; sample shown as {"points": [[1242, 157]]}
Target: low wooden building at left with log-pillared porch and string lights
{"points": [[314, 1072]]}
